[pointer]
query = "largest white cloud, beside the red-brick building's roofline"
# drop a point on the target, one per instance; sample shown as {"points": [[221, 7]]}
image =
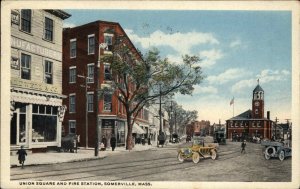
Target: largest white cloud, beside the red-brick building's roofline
{"points": [[182, 43]]}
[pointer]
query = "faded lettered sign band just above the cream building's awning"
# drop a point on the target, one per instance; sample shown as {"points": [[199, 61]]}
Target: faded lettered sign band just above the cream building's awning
{"points": [[16, 82]]}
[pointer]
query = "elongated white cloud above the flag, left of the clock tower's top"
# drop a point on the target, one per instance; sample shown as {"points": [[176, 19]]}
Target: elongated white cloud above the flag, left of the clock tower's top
{"points": [[228, 75]]}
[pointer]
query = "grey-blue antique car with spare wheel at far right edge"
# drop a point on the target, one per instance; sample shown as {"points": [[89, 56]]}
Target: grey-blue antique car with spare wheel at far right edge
{"points": [[276, 149]]}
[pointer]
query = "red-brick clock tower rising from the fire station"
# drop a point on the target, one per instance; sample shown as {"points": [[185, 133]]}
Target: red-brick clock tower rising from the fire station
{"points": [[258, 102]]}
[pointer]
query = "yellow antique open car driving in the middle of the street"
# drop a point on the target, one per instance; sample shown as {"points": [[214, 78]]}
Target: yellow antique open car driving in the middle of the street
{"points": [[197, 151]]}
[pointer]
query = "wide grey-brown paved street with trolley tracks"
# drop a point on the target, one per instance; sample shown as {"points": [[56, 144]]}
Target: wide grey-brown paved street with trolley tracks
{"points": [[161, 165]]}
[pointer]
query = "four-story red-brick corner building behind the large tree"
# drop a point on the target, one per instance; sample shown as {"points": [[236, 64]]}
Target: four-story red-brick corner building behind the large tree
{"points": [[84, 74]]}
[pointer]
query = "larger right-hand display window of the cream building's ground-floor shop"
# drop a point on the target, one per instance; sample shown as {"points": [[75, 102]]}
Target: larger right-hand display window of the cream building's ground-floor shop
{"points": [[44, 123]]}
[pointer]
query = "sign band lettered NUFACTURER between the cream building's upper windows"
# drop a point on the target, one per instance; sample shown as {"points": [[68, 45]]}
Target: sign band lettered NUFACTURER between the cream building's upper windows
{"points": [[36, 49]]}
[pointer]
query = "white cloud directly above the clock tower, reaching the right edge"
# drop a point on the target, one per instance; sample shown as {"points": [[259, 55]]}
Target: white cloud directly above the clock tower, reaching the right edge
{"points": [[266, 76]]}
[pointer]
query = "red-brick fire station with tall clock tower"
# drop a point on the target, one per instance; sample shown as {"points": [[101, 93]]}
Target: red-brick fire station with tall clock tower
{"points": [[251, 122]]}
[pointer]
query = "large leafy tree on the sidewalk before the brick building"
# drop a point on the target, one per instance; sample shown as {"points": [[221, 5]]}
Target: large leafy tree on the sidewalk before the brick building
{"points": [[138, 80]]}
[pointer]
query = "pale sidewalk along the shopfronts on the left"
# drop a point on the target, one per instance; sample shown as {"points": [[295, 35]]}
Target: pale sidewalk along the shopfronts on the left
{"points": [[62, 157]]}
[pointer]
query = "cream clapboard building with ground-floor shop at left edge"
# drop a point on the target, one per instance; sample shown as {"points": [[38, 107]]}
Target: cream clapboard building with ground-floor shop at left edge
{"points": [[36, 77]]}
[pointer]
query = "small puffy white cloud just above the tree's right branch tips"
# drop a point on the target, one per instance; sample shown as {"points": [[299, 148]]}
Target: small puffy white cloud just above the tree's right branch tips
{"points": [[210, 57]]}
